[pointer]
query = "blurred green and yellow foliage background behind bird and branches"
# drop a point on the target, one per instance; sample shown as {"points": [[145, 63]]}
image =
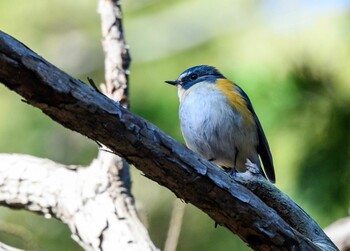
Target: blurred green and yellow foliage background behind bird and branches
{"points": [[291, 57]]}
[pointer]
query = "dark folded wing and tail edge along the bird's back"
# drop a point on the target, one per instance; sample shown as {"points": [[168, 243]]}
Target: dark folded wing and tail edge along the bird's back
{"points": [[263, 148]]}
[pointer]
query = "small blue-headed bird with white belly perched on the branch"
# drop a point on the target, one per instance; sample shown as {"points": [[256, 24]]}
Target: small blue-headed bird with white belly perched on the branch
{"points": [[218, 121]]}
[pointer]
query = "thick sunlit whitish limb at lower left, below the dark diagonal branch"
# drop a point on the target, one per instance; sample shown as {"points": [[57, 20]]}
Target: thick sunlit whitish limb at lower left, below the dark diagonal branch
{"points": [[89, 200]]}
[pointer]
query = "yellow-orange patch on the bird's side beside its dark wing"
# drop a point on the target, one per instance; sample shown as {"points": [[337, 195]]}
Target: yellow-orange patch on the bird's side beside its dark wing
{"points": [[235, 99]]}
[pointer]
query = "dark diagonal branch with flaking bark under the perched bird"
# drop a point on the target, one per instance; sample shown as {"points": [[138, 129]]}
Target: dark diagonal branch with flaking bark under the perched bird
{"points": [[162, 159]]}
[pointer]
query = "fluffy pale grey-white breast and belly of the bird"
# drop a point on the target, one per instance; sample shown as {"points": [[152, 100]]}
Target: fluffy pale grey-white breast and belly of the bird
{"points": [[212, 128]]}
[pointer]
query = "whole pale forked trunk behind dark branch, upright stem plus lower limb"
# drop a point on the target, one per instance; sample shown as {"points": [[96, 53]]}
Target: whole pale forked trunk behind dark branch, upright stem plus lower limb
{"points": [[94, 201]]}
